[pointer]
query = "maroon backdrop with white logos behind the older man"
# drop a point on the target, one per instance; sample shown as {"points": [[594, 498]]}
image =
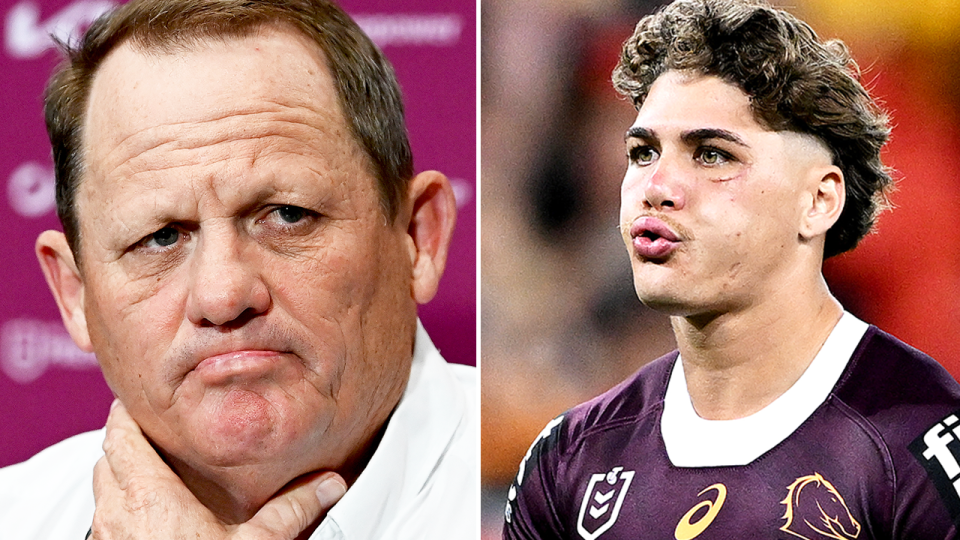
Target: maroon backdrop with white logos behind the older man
{"points": [[49, 390]]}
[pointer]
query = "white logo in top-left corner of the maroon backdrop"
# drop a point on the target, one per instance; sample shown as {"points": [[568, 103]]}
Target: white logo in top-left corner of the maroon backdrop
{"points": [[26, 36]]}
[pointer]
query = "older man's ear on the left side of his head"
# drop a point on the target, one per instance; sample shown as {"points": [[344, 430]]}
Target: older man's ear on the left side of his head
{"points": [[63, 278]]}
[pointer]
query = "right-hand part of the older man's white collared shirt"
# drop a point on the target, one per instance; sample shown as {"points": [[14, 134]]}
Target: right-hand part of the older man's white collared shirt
{"points": [[422, 482]]}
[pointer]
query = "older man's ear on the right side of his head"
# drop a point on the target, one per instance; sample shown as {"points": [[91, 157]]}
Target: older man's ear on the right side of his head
{"points": [[432, 217]]}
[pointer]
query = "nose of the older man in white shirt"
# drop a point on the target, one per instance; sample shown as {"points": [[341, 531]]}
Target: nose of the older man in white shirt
{"points": [[227, 284]]}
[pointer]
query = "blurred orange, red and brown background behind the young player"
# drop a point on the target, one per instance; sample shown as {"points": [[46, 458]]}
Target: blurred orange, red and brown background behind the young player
{"points": [[560, 322]]}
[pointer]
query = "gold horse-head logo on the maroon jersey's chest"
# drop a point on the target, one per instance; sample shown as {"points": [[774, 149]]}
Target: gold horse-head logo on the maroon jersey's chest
{"points": [[815, 510]]}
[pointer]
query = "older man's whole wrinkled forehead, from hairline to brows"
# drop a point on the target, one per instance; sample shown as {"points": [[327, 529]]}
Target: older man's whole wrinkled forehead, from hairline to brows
{"points": [[260, 108]]}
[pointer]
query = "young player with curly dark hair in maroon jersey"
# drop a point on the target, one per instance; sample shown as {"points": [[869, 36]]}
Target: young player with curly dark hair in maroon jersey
{"points": [[755, 155]]}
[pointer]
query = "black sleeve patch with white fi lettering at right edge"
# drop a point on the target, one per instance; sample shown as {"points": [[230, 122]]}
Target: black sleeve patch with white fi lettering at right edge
{"points": [[937, 450]]}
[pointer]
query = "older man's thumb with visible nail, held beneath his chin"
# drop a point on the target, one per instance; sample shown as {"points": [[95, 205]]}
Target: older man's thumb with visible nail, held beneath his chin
{"points": [[291, 512]]}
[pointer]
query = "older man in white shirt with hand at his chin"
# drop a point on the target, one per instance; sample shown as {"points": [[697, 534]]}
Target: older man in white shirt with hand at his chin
{"points": [[244, 249]]}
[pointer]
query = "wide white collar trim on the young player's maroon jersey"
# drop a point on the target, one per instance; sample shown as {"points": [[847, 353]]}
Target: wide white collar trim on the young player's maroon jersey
{"points": [[692, 441]]}
